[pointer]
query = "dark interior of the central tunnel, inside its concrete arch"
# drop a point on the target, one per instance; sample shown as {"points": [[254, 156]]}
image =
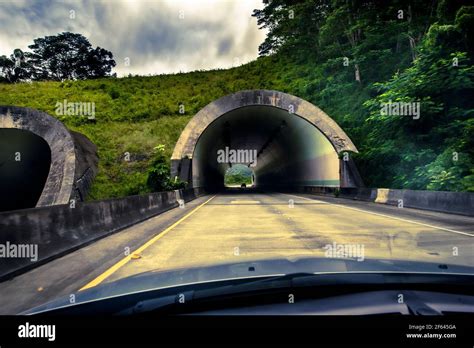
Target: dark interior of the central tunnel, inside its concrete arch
{"points": [[288, 149]]}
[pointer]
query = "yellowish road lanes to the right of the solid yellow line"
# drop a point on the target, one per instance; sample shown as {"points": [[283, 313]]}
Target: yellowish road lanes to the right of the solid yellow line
{"points": [[236, 227]]}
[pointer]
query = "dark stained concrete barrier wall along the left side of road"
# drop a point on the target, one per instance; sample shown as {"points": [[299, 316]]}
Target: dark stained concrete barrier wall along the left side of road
{"points": [[60, 229]]}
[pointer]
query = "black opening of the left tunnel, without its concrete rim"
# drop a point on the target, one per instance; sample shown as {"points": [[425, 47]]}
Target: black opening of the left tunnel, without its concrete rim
{"points": [[25, 160]]}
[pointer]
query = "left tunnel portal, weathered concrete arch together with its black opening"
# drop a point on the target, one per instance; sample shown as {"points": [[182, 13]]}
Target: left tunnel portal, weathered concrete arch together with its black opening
{"points": [[42, 163]]}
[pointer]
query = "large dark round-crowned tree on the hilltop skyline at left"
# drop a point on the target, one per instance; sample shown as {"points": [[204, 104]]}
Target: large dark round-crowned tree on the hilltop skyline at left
{"points": [[68, 56]]}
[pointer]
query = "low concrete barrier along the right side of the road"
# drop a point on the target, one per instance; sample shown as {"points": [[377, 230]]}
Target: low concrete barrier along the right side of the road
{"points": [[446, 202]]}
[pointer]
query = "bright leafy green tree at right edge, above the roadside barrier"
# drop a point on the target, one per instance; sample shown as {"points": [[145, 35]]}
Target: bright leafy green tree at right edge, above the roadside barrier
{"points": [[436, 151]]}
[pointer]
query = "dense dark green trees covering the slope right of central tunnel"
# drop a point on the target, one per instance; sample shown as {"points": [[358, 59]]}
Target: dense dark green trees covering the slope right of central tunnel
{"points": [[362, 54]]}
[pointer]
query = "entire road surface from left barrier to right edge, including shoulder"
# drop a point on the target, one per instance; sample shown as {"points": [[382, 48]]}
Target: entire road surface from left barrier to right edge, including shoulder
{"points": [[241, 227]]}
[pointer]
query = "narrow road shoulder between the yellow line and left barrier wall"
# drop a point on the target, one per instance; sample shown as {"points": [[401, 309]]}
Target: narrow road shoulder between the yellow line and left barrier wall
{"points": [[67, 274]]}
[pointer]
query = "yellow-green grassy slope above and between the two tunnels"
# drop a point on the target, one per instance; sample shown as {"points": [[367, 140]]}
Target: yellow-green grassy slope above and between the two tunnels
{"points": [[135, 114]]}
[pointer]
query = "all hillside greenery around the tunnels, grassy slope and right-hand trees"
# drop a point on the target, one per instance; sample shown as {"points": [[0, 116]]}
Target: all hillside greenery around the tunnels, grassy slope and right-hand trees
{"points": [[346, 57]]}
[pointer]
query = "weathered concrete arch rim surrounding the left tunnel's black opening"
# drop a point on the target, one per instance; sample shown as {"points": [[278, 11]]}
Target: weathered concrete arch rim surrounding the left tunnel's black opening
{"points": [[73, 157]]}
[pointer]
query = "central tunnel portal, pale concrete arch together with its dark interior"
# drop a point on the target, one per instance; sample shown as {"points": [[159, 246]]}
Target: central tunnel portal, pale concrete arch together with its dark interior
{"points": [[287, 132]]}
